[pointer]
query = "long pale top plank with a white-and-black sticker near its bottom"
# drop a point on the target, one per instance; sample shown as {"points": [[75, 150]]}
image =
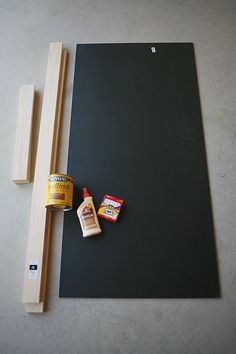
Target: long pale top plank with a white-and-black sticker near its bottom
{"points": [[38, 215]]}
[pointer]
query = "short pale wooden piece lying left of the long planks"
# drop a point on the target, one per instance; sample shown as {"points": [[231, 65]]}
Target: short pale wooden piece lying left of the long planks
{"points": [[22, 148]]}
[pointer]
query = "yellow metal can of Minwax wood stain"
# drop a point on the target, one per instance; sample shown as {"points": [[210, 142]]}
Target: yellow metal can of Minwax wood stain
{"points": [[59, 194]]}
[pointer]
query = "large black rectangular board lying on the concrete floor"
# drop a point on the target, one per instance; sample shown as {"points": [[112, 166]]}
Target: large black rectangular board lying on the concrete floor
{"points": [[136, 133]]}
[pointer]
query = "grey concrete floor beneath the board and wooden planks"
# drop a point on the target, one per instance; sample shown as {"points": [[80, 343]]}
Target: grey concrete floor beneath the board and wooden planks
{"points": [[117, 326]]}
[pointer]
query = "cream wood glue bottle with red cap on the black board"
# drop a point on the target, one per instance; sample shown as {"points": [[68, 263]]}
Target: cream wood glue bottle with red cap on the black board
{"points": [[87, 216]]}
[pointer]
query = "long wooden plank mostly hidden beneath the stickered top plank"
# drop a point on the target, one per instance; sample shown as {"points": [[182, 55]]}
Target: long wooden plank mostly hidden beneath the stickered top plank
{"points": [[39, 307]]}
